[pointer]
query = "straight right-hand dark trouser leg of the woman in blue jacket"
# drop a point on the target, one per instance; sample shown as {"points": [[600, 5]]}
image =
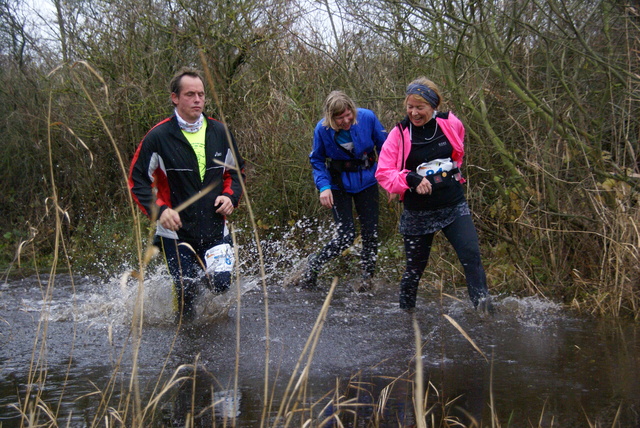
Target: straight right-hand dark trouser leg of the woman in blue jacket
{"points": [[366, 203]]}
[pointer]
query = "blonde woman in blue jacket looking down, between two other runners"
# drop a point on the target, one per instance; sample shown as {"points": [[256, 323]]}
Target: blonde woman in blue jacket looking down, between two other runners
{"points": [[345, 143]]}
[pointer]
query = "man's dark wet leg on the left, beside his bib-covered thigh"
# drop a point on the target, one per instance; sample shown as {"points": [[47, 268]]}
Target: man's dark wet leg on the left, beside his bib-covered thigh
{"points": [[184, 269]]}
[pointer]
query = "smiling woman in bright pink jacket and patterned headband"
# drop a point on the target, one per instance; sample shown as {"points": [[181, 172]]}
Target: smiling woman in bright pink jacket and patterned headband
{"points": [[420, 161]]}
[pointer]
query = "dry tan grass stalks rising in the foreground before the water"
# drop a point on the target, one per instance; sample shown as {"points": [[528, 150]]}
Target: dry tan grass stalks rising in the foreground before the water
{"points": [[425, 407]]}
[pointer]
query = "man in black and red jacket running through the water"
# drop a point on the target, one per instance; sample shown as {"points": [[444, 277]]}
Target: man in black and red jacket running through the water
{"points": [[180, 157]]}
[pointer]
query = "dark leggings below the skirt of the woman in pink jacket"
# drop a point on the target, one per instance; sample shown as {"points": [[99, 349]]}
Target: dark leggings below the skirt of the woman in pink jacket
{"points": [[464, 238]]}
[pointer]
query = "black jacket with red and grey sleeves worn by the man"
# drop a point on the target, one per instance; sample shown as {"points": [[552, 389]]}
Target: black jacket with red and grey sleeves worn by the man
{"points": [[164, 172]]}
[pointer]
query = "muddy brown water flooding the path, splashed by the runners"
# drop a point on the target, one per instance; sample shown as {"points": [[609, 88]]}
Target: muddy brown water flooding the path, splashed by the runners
{"points": [[535, 364]]}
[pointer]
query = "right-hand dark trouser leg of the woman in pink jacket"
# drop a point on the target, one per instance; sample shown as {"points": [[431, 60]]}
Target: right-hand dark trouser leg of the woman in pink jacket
{"points": [[463, 236]]}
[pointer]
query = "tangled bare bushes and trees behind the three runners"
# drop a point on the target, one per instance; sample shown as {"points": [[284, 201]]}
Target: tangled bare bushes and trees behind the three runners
{"points": [[549, 91]]}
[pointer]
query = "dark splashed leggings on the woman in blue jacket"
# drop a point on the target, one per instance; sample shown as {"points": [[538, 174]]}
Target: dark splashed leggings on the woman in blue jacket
{"points": [[366, 203]]}
